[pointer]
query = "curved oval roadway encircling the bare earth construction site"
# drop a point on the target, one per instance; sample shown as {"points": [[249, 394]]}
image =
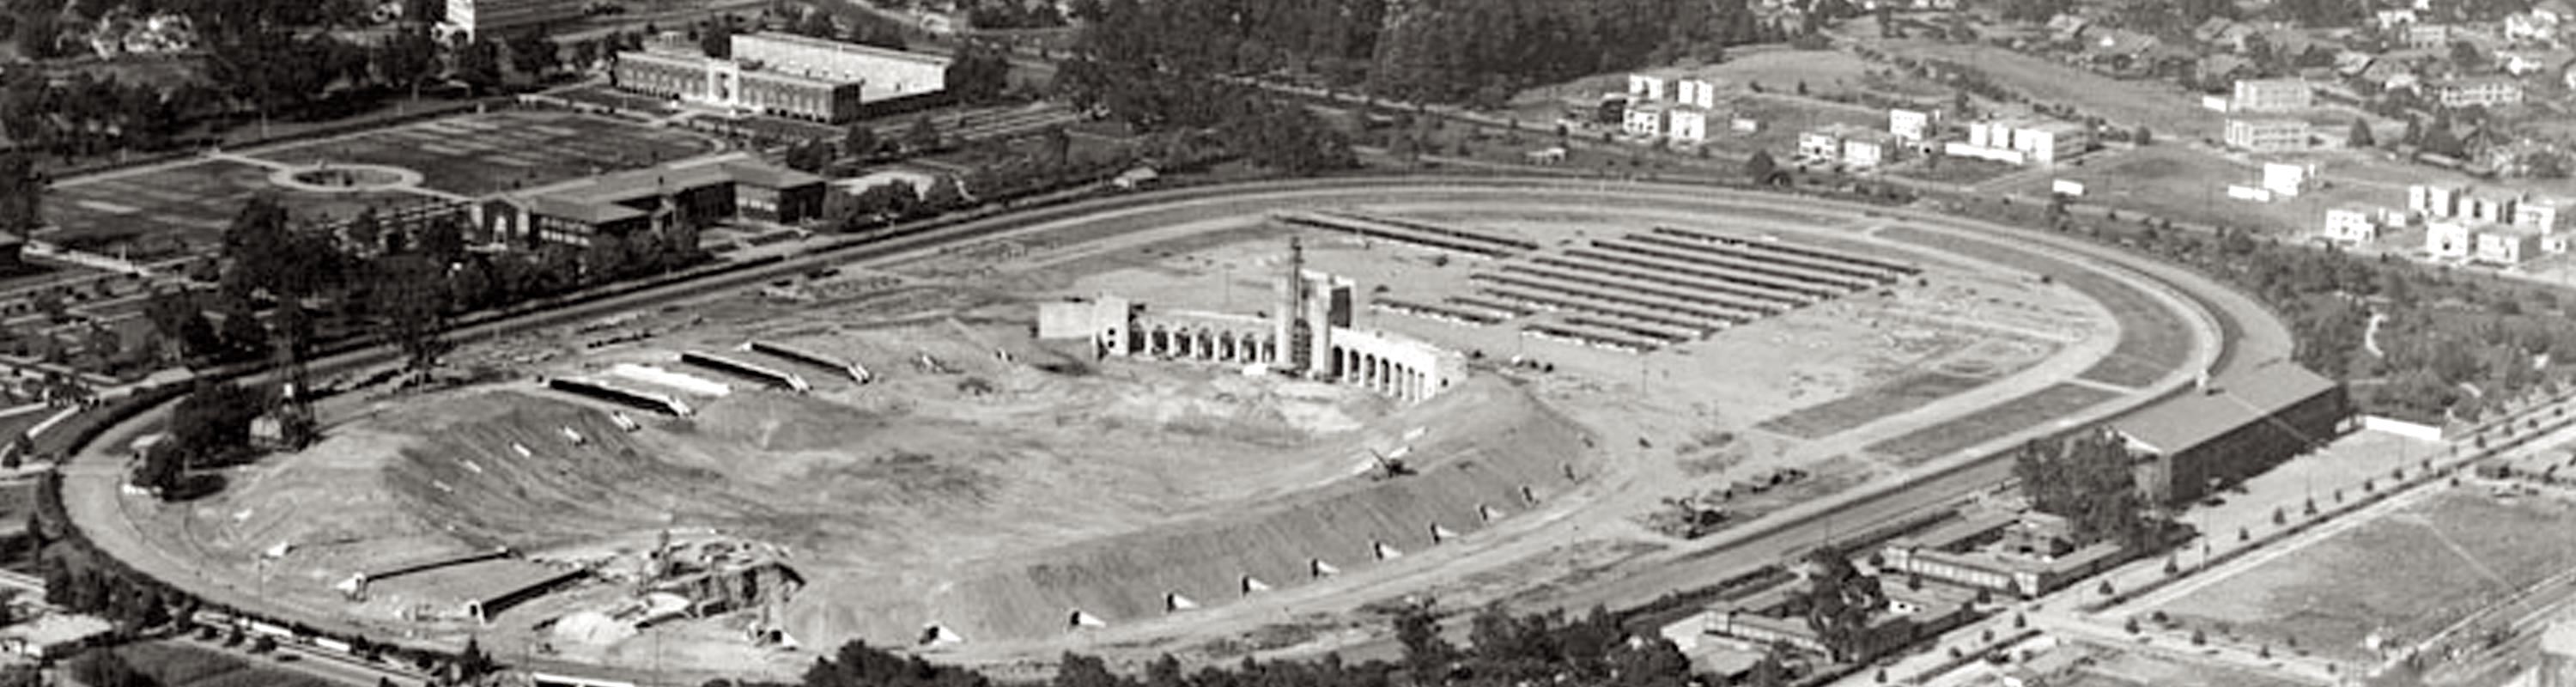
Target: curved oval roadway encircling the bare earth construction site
{"points": [[2232, 331]]}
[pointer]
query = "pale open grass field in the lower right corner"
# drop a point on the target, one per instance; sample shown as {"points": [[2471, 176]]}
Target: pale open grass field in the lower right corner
{"points": [[2405, 575]]}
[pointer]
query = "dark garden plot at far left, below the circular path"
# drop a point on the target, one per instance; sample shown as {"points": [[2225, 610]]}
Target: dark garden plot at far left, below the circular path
{"points": [[182, 210]]}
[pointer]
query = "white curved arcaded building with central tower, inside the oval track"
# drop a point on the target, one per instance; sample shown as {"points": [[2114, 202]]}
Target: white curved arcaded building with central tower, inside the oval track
{"points": [[1307, 333]]}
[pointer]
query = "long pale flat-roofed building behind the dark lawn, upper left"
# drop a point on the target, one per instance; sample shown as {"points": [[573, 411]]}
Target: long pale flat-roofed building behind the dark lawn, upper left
{"points": [[787, 76]]}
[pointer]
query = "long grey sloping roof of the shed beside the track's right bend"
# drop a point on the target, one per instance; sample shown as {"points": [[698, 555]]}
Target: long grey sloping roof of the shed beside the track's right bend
{"points": [[2237, 400]]}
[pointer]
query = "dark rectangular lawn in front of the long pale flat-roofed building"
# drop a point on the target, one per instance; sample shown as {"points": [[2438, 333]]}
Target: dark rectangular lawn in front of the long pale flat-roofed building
{"points": [[488, 153]]}
